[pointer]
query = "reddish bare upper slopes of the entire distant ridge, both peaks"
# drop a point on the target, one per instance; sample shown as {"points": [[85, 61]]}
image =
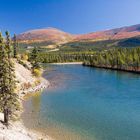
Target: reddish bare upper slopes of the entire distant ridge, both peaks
{"points": [[56, 36]]}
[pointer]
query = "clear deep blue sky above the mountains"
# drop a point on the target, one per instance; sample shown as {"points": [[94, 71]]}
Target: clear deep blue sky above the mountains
{"points": [[74, 16]]}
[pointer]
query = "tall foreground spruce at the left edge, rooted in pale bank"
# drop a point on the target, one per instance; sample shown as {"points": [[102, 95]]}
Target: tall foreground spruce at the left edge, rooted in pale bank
{"points": [[8, 97]]}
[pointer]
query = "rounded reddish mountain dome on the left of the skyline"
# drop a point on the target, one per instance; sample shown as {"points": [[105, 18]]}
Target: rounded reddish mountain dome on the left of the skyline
{"points": [[51, 35]]}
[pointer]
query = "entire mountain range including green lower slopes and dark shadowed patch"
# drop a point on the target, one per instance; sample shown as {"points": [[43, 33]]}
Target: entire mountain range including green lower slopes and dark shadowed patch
{"points": [[128, 36]]}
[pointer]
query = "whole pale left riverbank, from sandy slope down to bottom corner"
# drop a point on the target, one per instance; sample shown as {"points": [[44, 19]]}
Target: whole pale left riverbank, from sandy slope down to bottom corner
{"points": [[26, 84]]}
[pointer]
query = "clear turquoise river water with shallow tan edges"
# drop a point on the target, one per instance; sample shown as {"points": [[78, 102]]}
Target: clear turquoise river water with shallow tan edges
{"points": [[86, 103]]}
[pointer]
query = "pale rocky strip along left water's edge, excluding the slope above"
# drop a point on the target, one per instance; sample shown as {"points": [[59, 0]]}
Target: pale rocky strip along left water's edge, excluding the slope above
{"points": [[16, 129]]}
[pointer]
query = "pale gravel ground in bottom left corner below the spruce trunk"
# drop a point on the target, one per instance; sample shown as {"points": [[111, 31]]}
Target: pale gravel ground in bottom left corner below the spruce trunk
{"points": [[17, 131]]}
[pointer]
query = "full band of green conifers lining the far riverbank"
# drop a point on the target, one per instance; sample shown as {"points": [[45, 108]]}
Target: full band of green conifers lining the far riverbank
{"points": [[116, 58]]}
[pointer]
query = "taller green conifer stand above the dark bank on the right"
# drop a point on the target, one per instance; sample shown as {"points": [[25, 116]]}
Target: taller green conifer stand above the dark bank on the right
{"points": [[119, 58]]}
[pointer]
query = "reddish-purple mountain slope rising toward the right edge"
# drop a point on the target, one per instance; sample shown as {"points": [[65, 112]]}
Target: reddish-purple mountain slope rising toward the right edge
{"points": [[118, 33]]}
